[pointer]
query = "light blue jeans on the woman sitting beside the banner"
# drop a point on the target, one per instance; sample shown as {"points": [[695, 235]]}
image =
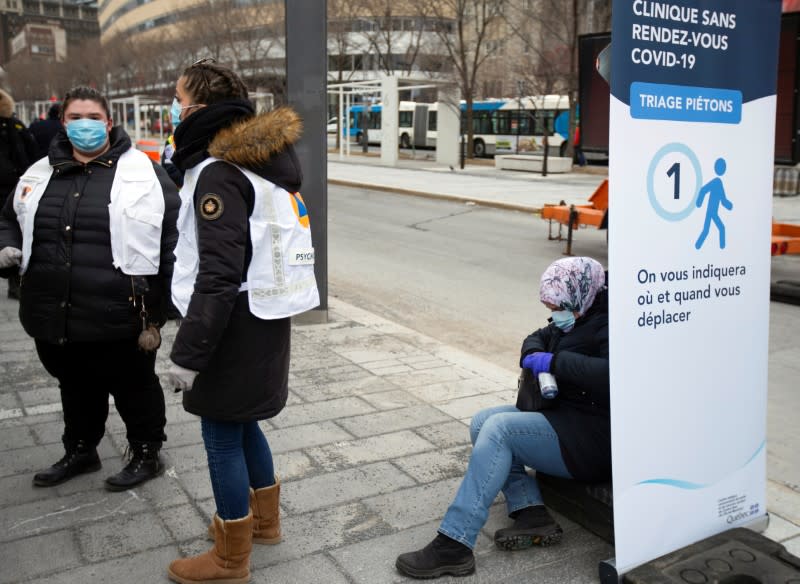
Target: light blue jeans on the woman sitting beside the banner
{"points": [[504, 441]]}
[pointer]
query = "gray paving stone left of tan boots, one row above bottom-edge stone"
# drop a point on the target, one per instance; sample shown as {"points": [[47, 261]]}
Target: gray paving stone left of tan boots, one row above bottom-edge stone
{"points": [[122, 535]]}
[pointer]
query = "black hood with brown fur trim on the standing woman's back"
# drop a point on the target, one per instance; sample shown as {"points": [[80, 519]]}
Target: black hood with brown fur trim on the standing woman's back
{"points": [[264, 144]]}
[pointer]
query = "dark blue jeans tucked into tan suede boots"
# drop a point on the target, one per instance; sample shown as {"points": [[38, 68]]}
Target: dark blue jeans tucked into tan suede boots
{"points": [[238, 458]]}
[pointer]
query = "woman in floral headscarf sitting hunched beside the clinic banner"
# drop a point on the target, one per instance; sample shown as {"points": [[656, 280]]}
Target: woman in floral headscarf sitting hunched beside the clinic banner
{"points": [[570, 440]]}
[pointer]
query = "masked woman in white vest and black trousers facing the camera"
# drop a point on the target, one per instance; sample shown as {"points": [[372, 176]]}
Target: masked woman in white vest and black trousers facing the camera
{"points": [[91, 228]]}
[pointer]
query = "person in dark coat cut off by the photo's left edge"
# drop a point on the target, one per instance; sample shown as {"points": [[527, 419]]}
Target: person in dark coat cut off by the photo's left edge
{"points": [[17, 152]]}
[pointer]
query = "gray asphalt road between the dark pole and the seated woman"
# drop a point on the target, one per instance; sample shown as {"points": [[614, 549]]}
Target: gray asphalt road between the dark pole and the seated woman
{"points": [[462, 274]]}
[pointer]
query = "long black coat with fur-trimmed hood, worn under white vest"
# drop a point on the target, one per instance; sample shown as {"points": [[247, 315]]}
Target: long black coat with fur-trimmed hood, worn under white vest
{"points": [[243, 361]]}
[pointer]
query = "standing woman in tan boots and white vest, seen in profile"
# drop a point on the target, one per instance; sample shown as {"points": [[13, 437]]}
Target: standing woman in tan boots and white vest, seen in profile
{"points": [[244, 266]]}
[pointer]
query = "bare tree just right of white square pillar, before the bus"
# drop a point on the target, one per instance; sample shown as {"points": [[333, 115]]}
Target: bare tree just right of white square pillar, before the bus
{"points": [[464, 29]]}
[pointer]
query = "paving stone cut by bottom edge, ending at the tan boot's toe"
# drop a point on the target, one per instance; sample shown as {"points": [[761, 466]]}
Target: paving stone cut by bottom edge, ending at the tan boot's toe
{"points": [[147, 566]]}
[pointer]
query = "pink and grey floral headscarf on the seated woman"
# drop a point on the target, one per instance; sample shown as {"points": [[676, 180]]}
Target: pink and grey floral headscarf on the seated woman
{"points": [[572, 283]]}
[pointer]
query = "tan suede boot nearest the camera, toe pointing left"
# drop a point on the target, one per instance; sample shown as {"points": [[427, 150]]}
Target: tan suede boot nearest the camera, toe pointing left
{"points": [[228, 561]]}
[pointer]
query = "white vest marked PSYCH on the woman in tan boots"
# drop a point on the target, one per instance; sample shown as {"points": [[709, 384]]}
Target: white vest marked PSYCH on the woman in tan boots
{"points": [[280, 278]]}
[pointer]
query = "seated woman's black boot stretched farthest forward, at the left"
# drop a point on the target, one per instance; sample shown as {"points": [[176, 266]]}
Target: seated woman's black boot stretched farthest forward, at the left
{"points": [[442, 556]]}
